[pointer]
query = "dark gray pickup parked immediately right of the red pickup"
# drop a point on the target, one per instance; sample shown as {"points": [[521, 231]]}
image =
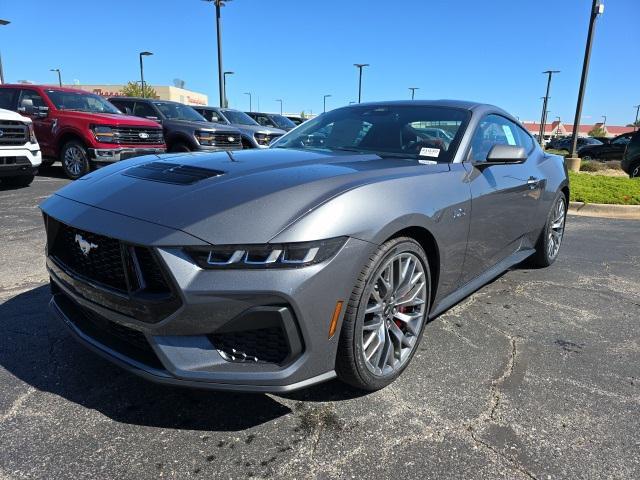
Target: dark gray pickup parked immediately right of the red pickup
{"points": [[185, 130]]}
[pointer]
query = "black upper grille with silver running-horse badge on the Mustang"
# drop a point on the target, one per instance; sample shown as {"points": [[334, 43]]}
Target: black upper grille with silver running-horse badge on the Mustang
{"points": [[105, 261]]}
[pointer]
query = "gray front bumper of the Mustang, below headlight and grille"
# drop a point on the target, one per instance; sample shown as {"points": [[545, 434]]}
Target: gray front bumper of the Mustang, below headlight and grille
{"points": [[182, 348]]}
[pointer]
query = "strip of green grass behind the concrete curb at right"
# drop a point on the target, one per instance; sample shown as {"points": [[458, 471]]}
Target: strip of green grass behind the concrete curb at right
{"points": [[601, 189]]}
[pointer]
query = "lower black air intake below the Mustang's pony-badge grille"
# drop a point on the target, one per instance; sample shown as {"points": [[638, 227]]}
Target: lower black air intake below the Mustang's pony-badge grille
{"points": [[119, 338]]}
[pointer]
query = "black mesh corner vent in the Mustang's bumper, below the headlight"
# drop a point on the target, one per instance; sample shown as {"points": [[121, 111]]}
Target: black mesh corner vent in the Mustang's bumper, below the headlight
{"points": [[261, 345]]}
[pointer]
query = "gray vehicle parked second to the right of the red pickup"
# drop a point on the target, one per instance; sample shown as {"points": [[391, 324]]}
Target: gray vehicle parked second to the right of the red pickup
{"points": [[253, 134]]}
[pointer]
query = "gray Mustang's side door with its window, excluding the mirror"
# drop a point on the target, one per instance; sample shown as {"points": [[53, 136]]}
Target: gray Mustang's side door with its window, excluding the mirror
{"points": [[504, 197]]}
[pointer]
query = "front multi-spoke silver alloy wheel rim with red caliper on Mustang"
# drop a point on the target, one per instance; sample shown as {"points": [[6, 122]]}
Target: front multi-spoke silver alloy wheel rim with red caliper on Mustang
{"points": [[394, 314]]}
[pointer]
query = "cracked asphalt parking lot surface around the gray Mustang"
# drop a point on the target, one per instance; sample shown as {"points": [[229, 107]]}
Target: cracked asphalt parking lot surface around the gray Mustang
{"points": [[537, 375]]}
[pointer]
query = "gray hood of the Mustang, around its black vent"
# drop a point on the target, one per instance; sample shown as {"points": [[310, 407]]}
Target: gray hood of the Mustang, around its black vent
{"points": [[258, 195]]}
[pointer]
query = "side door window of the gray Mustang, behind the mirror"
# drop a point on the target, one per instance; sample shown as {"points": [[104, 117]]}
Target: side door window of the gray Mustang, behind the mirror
{"points": [[497, 130]]}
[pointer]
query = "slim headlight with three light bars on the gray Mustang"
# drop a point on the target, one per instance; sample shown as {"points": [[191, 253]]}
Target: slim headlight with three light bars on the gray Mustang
{"points": [[284, 255]]}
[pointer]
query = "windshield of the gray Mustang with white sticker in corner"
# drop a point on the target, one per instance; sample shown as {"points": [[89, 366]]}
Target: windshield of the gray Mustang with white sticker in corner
{"points": [[400, 131]]}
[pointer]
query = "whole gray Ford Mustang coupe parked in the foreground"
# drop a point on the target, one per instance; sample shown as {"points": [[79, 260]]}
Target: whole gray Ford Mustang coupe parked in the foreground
{"points": [[324, 255]]}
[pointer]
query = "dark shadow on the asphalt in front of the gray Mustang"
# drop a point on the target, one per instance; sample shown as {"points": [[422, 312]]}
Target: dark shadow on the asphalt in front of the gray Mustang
{"points": [[39, 351]]}
